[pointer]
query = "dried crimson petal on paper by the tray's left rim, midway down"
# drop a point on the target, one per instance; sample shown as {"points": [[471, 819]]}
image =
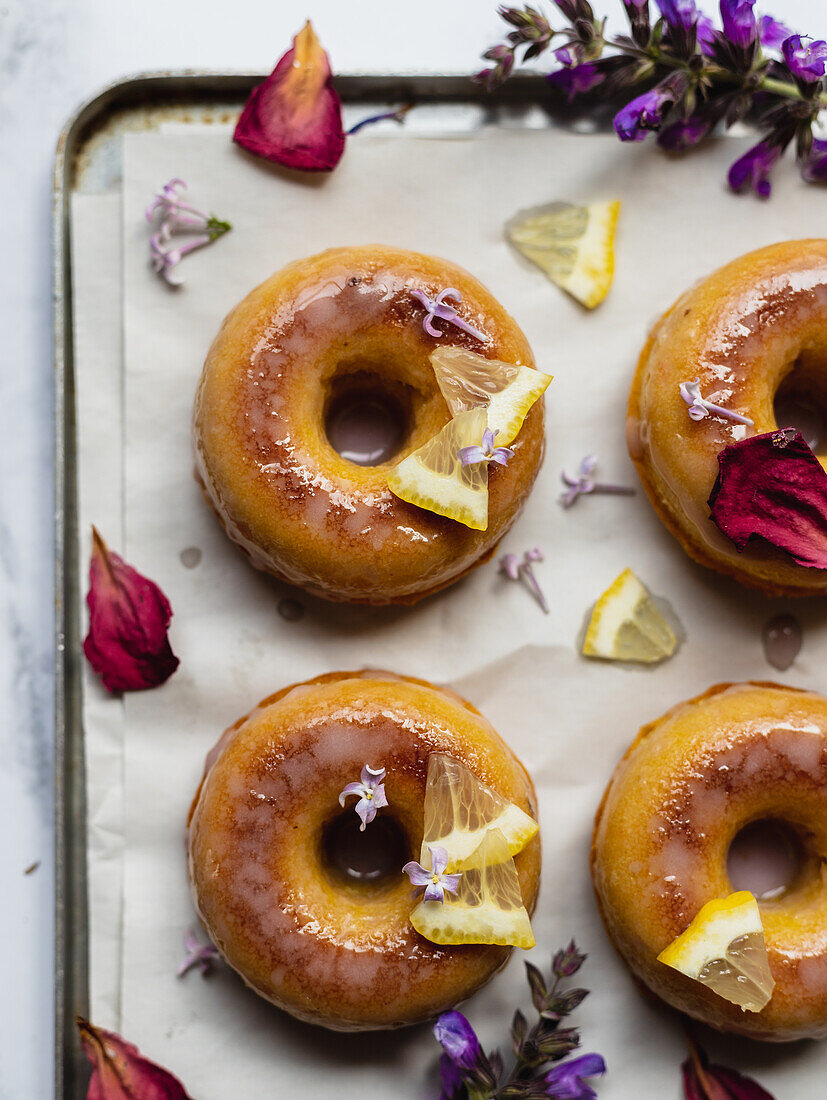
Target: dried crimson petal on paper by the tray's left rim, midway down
{"points": [[129, 615]]}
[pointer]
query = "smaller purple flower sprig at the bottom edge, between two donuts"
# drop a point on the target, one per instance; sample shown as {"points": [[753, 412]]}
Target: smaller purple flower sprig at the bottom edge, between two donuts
{"points": [[539, 1050]]}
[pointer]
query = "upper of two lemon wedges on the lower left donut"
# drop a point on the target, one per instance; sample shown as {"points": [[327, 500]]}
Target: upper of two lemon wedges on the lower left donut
{"points": [[460, 810]]}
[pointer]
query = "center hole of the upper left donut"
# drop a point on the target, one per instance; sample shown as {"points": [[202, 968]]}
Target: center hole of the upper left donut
{"points": [[368, 416]]}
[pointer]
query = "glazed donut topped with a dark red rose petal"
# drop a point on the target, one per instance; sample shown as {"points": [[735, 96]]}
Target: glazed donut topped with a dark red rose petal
{"points": [[753, 329]]}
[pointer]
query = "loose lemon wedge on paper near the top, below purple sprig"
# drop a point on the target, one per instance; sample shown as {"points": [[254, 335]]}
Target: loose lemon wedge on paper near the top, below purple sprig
{"points": [[574, 245]]}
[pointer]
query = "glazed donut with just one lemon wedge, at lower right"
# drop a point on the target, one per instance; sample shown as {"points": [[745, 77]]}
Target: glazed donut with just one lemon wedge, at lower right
{"points": [[687, 787]]}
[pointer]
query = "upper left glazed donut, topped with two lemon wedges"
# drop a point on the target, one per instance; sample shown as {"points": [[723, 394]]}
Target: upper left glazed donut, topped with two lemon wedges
{"points": [[324, 332]]}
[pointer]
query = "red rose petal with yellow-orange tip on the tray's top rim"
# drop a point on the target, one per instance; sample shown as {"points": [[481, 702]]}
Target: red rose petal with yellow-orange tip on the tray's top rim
{"points": [[295, 118]]}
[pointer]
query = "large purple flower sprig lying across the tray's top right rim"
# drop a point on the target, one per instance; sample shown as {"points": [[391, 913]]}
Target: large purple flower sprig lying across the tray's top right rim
{"points": [[682, 78]]}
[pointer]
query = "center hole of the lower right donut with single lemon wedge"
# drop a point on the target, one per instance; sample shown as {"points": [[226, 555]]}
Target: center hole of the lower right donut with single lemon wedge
{"points": [[767, 857]]}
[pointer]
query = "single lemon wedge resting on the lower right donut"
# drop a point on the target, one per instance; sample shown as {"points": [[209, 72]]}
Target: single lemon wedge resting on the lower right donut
{"points": [[724, 949]]}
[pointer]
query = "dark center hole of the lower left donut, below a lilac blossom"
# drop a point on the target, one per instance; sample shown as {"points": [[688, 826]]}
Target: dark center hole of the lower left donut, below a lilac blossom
{"points": [[371, 859]]}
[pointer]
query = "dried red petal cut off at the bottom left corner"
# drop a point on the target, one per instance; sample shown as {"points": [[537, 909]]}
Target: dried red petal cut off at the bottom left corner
{"points": [[122, 1073]]}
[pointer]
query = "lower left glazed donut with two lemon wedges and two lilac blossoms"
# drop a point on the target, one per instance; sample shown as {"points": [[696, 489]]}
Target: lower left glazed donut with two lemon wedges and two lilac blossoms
{"points": [[267, 826]]}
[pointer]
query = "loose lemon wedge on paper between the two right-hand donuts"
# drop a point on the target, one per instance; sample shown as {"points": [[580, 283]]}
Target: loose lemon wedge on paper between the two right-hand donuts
{"points": [[627, 626]]}
